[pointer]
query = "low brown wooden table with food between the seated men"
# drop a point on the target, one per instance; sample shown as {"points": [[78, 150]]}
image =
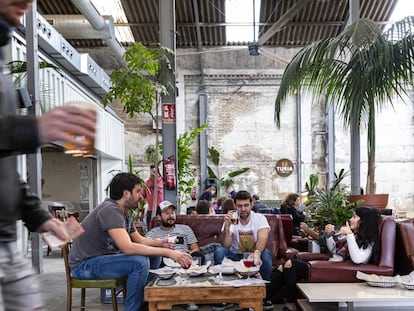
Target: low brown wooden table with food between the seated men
{"points": [[164, 297]]}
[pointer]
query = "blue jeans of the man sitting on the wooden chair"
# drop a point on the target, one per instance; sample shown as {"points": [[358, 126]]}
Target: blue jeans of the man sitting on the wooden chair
{"points": [[135, 267]]}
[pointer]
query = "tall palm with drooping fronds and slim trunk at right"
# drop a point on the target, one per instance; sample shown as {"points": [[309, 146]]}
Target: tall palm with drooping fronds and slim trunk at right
{"points": [[359, 71]]}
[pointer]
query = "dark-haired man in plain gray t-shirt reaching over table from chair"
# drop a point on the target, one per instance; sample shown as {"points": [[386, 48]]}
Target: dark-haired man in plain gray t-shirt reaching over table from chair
{"points": [[111, 247]]}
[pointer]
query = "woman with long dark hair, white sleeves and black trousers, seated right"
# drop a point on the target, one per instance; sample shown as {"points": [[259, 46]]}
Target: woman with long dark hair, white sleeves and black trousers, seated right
{"points": [[357, 242]]}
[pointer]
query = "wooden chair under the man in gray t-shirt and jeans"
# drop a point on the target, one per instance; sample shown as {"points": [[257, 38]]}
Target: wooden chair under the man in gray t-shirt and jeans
{"points": [[72, 282]]}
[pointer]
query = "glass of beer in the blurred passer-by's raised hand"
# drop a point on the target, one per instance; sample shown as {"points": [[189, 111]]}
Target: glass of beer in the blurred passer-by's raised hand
{"points": [[88, 149]]}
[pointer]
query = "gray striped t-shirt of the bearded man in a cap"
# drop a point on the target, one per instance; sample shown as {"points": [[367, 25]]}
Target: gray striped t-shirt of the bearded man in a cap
{"points": [[178, 230]]}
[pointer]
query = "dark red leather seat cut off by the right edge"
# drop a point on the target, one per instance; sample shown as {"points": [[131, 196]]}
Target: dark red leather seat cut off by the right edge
{"points": [[404, 248]]}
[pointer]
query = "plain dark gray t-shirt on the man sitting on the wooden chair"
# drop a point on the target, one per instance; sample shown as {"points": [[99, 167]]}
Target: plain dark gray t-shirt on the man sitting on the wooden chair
{"points": [[95, 241]]}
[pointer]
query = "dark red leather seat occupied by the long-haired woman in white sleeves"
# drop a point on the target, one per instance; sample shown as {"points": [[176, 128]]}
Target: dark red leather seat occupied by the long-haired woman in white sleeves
{"points": [[327, 271]]}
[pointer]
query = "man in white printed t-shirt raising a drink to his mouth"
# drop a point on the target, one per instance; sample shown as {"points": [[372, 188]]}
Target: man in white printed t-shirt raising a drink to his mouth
{"points": [[252, 232]]}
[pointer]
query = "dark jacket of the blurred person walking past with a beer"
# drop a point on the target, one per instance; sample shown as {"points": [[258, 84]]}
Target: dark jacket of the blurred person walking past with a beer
{"points": [[18, 134]]}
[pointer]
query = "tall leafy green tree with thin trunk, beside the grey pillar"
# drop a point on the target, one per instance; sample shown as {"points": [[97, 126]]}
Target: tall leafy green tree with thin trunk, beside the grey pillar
{"points": [[140, 85]]}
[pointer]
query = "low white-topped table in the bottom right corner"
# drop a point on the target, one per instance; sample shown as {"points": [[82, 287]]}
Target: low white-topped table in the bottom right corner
{"points": [[358, 295]]}
